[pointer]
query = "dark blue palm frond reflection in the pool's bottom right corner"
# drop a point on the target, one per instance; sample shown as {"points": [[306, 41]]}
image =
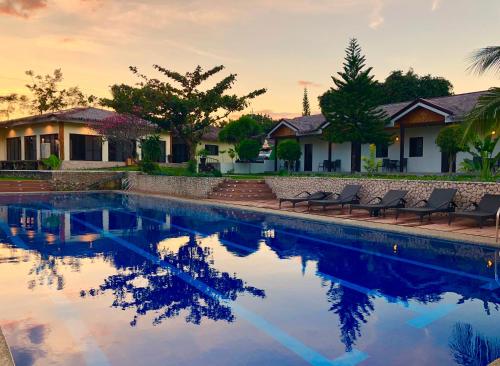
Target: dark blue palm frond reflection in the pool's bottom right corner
{"points": [[470, 348]]}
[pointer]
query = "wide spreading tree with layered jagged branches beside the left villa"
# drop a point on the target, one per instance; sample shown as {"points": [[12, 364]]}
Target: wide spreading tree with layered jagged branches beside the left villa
{"points": [[180, 104]]}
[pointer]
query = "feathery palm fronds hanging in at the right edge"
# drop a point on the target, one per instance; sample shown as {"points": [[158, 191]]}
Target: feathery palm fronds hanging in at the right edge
{"points": [[485, 117]]}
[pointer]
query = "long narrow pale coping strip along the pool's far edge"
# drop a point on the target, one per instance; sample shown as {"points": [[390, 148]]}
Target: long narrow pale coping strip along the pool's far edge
{"points": [[445, 235]]}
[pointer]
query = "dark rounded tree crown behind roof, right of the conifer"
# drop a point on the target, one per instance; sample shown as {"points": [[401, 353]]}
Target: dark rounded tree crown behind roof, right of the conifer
{"points": [[401, 87]]}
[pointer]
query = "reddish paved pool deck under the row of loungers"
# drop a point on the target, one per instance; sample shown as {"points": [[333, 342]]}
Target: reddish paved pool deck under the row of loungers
{"points": [[460, 229]]}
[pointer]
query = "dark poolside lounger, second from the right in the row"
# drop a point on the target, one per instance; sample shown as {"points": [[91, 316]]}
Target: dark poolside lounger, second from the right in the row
{"points": [[440, 200]]}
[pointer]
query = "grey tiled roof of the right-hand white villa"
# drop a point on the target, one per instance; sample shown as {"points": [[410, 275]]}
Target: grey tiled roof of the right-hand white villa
{"points": [[458, 105]]}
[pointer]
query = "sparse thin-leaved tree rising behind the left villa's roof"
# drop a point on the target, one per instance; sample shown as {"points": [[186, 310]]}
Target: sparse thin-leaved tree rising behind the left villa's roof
{"points": [[47, 95]]}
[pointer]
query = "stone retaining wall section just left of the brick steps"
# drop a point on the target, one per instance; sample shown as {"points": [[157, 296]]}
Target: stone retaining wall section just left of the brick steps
{"points": [[192, 187]]}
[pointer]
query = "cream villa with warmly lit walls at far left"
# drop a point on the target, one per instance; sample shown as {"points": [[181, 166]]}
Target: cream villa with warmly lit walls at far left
{"points": [[68, 135]]}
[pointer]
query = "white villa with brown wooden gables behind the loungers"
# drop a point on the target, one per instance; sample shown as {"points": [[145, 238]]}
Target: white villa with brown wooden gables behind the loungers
{"points": [[414, 125]]}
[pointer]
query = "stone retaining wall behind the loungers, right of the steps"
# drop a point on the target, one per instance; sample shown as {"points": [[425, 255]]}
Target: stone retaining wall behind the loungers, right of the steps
{"points": [[417, 189]]}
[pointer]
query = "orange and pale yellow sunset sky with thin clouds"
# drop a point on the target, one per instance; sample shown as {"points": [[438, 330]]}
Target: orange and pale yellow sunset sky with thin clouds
{"points": [[282, 45]]}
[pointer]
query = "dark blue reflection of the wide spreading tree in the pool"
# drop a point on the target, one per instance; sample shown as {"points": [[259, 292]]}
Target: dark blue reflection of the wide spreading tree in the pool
{"points": [[153, 288]]}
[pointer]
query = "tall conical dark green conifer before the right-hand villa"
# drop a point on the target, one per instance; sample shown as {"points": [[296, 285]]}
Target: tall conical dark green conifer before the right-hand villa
{"points": [[351, 106]]}
